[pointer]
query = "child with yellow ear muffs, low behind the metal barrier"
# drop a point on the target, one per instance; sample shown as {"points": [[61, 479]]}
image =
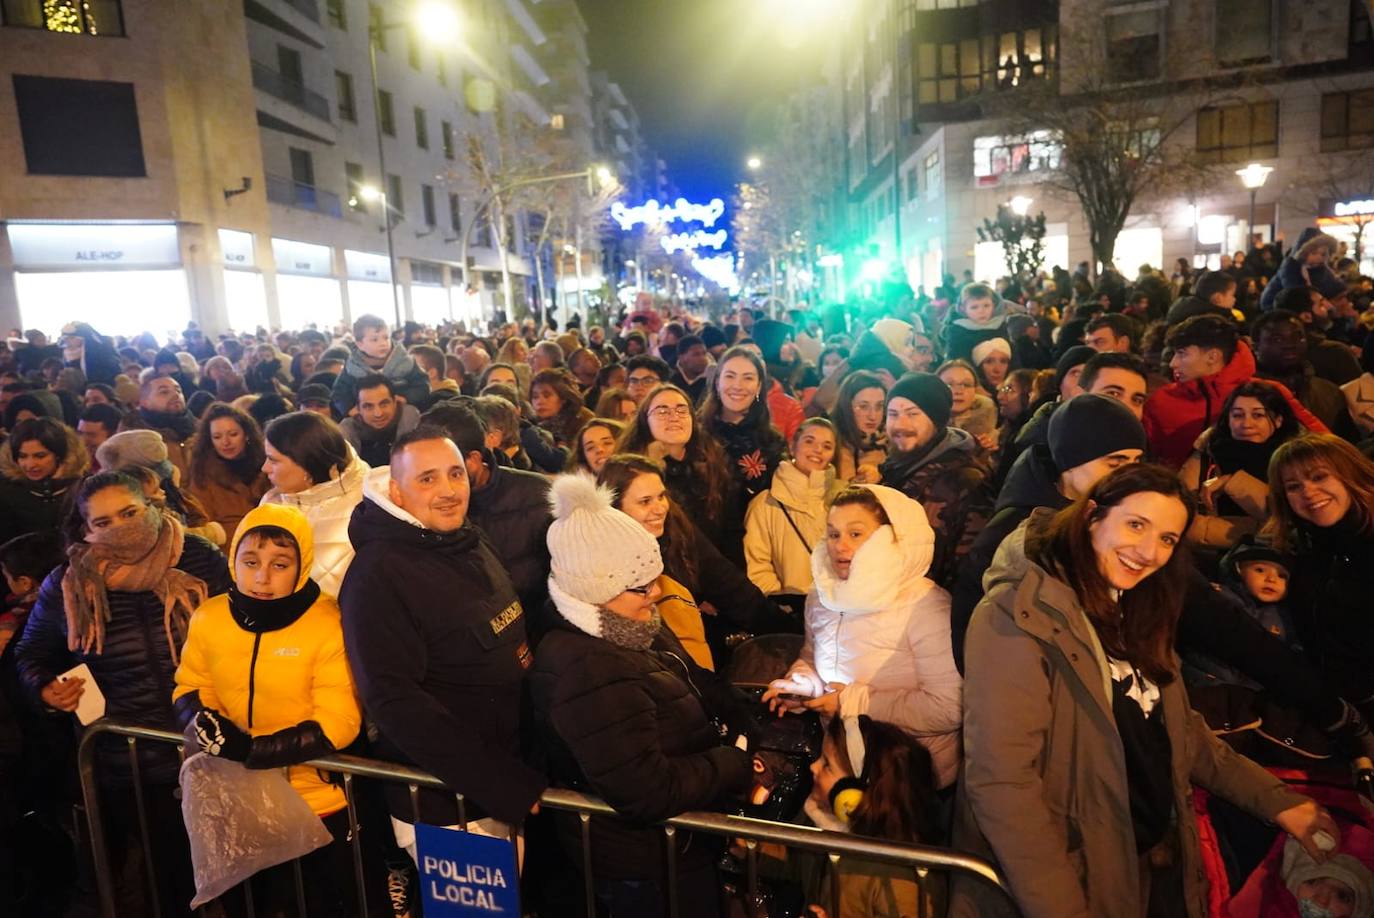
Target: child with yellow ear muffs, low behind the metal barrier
{"points": [[875, 780]]}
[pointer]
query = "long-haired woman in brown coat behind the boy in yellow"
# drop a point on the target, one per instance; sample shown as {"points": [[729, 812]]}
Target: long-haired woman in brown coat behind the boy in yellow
{"points": [[227, 465]]}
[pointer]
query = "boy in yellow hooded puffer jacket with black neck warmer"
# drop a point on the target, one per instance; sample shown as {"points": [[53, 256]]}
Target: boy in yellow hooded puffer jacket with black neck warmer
{"points": [[266, 682]]}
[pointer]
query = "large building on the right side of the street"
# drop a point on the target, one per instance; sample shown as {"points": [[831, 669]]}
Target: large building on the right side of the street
{"points": [[923, 86]]}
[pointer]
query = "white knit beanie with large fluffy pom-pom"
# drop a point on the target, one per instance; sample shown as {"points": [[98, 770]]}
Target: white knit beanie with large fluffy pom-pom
{"points": [[597, 552]]}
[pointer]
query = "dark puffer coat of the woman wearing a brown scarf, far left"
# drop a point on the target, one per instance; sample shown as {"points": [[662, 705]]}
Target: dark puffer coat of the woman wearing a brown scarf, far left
{"points": [[135, 673]]}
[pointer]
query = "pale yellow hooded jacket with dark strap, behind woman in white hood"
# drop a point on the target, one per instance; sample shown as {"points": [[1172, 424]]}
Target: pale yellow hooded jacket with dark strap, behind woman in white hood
{"points": [[784, 524]]}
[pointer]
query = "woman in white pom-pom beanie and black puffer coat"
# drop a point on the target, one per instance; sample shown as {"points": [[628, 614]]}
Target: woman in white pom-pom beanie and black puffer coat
{"points": [[626, 714]]}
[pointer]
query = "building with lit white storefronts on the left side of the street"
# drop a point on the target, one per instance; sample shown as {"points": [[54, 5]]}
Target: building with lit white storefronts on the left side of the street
{"points": [[225, 163]]}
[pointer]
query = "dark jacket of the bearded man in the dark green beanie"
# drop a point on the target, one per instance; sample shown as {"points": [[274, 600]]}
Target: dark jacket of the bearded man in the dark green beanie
{"points": [[951, 483]]}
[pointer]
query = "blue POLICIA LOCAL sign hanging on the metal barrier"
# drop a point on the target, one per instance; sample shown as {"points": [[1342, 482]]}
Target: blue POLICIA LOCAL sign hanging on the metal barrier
{"points": [[466, 875]]}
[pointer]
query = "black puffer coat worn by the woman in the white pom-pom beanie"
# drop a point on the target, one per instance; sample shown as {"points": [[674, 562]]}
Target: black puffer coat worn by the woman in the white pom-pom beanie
{"points": [[635, 729]]}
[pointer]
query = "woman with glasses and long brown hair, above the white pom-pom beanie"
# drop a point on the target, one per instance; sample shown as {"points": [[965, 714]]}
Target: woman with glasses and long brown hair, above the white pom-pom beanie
{"points": [[695, 465]]}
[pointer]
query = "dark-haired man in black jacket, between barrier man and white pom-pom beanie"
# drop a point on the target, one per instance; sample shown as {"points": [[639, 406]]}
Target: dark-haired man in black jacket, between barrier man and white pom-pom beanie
{"points": [[509, 506]]}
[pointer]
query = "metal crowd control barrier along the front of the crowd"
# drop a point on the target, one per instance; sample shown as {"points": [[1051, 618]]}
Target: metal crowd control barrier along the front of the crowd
{"points": [[920, 860]]}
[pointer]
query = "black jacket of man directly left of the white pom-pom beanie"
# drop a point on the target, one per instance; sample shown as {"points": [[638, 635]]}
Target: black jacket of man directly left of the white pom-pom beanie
{"points": [[513, 513]]}
